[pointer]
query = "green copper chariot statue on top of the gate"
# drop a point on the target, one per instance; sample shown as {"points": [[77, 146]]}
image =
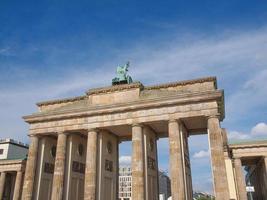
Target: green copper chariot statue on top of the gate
{"points": [[122, 77]]}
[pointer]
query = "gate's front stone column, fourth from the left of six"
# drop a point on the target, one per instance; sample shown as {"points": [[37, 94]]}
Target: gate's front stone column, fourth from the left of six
{"points": [[138, 175]]}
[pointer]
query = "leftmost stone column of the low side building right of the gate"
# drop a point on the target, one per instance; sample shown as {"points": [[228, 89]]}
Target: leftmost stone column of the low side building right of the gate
{"points": [[240, 179]]}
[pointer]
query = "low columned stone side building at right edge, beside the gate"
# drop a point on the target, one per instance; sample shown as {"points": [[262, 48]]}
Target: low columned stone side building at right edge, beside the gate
{"points": [[253, 155]]}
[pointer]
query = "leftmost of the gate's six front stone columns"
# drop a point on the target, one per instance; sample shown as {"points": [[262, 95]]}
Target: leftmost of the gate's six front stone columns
{"points": [[27, 192]]}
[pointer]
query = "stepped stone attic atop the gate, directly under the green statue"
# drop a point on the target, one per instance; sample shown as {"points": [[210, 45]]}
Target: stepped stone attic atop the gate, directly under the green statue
{"points": [[130, 92]]}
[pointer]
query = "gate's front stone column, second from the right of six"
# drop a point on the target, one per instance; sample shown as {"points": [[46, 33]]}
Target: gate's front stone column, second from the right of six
{"points": [[176, 161]]}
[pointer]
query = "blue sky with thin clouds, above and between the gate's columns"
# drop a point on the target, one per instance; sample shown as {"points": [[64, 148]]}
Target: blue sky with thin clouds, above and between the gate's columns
{"points": [[53, 49]]}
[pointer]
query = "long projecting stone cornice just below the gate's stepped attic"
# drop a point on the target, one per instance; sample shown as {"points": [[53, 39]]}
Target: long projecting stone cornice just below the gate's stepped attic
{"points": [[139, 104]]}
